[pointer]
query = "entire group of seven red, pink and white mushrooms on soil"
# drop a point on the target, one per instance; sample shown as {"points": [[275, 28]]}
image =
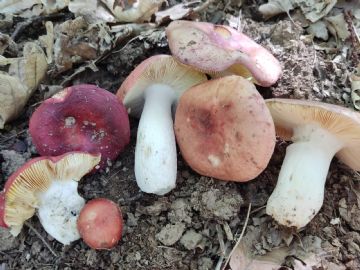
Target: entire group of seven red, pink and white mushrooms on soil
{"points": [[223, 126]]}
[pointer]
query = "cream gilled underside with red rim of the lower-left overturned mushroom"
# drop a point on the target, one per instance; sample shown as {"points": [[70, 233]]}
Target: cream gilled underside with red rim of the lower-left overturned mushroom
{"points": [[36, 176]]}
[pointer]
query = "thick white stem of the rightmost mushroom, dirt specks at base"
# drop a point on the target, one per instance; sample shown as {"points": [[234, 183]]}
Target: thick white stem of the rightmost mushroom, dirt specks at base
{"points": [[299, 193]]}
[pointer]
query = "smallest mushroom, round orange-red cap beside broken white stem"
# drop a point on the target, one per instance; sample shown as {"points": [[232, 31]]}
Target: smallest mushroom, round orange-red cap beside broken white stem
{"points": [[100, 223]]}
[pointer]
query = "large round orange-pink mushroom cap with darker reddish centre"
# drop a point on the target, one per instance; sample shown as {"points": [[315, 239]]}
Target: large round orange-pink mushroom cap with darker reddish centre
{"points": [[224, 129]]}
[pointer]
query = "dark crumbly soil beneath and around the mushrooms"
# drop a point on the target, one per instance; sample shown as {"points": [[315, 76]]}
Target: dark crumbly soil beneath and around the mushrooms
{"points": [[190, 227]]}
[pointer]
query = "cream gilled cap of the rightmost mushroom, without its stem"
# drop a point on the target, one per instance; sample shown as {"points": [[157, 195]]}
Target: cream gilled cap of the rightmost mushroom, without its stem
{"points": [[341, 122]]}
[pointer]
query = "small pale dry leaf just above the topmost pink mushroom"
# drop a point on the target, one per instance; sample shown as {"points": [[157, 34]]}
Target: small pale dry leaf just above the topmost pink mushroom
{"points": [[176, 12]]}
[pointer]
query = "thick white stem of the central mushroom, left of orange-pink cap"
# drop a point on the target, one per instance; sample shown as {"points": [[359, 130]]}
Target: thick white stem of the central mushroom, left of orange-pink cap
{"points": [[155, 152]]}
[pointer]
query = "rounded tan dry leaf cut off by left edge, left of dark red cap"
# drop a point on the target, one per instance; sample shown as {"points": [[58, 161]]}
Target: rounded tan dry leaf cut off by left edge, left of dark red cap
{"points": [[13, 97]]}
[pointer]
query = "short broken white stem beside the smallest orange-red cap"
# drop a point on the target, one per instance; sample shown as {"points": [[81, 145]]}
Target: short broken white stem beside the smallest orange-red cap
{"points": [[59, 209]]}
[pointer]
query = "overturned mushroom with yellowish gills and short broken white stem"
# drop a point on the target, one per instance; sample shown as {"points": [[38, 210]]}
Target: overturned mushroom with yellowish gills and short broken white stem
{"points": [[48, 184]]}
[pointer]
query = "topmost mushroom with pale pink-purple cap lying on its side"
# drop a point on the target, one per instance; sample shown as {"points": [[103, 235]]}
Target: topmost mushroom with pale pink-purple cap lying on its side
{"points": [[221, 49]]}
